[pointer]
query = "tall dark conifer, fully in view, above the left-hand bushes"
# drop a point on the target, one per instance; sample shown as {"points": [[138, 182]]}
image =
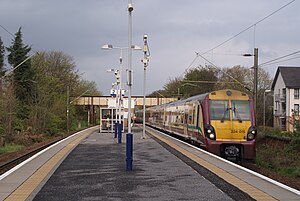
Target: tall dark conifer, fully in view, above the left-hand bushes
{"points": [[23, 76]]}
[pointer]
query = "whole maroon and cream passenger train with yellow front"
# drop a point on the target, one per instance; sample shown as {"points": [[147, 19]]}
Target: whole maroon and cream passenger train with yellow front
{"points": [[222, 122]]}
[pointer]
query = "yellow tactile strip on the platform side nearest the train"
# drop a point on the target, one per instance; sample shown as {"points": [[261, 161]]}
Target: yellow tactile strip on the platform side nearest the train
{"points": [[245, 187]]}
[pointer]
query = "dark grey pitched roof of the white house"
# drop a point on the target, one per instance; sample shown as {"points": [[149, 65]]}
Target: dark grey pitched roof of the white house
{"points": [[290, 75]]}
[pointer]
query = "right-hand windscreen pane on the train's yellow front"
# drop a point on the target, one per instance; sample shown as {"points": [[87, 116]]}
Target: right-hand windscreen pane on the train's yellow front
{"points": [[240, 110]]}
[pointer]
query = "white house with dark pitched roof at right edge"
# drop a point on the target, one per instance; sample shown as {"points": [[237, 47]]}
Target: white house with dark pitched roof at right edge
{"points": [[286, 85]]}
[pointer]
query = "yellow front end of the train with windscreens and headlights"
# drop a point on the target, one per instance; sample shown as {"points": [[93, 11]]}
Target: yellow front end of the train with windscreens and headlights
{"points": [[229, 124]]}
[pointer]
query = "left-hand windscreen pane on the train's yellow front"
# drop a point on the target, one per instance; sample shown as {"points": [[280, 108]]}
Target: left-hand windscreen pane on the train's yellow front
{"points": [[219, 110]]}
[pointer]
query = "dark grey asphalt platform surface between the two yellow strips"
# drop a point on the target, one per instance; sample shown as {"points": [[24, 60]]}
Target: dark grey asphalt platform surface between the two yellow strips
{"points": [[96, 170]]}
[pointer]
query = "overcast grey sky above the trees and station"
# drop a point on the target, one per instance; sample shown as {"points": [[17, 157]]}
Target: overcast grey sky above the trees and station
{"points": [[176, 30]]}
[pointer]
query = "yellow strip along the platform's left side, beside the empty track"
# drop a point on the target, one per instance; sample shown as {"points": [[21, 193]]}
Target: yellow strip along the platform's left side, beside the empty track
{"points": [[27, 188]]}
